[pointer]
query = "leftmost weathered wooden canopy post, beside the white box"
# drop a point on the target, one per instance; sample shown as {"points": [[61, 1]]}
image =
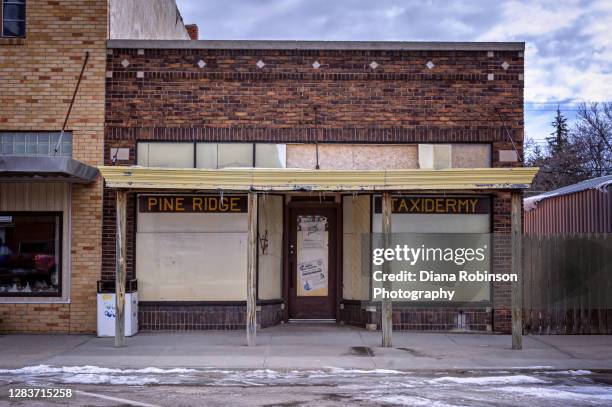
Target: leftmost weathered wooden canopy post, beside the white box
{"points": [[120, 269]]}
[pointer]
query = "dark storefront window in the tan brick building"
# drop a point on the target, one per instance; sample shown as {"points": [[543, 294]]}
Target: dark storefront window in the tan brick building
{"points": [[30, 260]]}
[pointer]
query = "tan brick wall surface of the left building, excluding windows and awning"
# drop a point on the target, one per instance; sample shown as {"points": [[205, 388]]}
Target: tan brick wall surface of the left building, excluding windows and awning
{"points": [[38, 75]]}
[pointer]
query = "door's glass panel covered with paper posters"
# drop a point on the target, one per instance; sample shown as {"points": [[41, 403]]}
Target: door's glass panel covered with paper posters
{"points": [[312, 256]]}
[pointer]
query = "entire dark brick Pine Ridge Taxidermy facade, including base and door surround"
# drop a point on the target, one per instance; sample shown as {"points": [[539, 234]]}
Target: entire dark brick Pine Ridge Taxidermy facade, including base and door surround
{"points": [[425, 96]]}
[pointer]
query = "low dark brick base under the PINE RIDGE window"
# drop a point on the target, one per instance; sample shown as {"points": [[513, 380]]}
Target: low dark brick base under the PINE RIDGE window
{"points": [[202, 317]]}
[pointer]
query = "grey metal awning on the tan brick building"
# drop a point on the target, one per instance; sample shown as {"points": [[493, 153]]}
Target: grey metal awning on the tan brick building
{"points": [[45, 169]]}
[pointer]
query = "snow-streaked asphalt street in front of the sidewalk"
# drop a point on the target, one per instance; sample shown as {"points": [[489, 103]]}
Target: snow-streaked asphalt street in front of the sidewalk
{"points": [[323, 387]]}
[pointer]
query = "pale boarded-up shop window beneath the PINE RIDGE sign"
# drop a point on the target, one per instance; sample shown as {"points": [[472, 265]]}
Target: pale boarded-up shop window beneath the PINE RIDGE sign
{"points": [[191, 256]]}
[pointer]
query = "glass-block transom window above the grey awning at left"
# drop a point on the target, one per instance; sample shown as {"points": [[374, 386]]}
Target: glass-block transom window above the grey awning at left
{"points": [[35, 144]]}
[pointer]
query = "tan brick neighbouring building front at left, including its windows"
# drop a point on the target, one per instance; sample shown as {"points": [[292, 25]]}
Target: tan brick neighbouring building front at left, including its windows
{"points": [[40, 62]]}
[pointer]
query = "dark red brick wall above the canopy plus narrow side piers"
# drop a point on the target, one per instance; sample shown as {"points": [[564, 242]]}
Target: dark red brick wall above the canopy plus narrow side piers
{"points": [[166, 95]]}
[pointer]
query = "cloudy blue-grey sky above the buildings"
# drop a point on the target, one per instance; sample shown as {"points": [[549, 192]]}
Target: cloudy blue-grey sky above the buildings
{"points": [[569, 43]]}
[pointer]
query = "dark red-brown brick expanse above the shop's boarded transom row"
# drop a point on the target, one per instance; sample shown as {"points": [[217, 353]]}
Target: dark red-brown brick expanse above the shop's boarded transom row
{"points": [[402, 91]]}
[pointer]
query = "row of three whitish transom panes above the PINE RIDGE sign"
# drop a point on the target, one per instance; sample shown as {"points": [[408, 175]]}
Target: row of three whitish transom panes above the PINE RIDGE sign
{"points": [[211, 155]]}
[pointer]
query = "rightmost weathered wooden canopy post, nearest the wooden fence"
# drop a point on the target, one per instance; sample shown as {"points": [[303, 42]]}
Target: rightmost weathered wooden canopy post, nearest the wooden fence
{"points": [[517, 269]]}
